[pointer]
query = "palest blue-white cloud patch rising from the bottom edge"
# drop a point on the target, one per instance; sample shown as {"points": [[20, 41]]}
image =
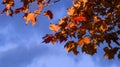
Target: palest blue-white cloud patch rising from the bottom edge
{"points": [[62, 60]]}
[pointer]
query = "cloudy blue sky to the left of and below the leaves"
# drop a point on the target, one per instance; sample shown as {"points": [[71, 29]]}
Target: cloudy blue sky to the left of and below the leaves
{"points": [[21, 45]]}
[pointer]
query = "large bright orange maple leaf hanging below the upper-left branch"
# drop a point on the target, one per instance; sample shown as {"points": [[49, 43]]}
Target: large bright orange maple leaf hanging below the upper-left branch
{"points": [[30, 17]]}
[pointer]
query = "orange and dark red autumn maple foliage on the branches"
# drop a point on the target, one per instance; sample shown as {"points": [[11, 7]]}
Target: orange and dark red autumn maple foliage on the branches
{"points": [[88, 24]]}
